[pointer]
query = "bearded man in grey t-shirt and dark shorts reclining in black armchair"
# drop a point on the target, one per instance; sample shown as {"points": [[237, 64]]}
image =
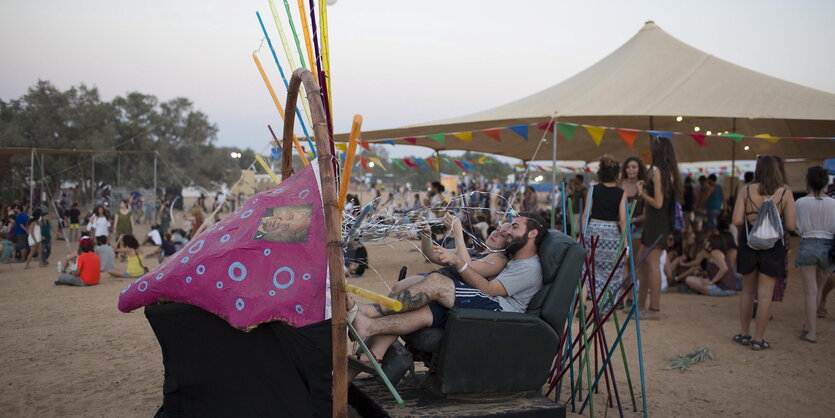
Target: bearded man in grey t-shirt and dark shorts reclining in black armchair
{"points": [[425, 303]]}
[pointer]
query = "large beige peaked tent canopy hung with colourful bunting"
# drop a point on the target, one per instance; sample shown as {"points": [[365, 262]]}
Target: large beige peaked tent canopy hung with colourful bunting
{"points": [[647, 84]]}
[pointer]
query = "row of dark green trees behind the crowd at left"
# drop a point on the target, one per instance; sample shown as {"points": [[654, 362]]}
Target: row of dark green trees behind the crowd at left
{"points": [[78, 118]]}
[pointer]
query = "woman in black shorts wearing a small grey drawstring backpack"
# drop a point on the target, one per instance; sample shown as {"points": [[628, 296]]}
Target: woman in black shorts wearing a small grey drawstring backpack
{"points": [[763, 210]]}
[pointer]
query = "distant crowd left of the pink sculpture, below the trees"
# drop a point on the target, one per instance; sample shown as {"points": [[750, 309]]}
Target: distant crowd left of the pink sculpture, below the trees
{"points": [[26, 234]]}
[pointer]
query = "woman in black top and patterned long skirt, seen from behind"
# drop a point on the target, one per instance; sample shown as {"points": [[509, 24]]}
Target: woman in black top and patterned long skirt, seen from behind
{"points": [[607, 220]]}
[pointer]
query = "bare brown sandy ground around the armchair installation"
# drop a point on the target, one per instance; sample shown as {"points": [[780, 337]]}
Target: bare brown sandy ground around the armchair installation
{"points": [[69, 351]]}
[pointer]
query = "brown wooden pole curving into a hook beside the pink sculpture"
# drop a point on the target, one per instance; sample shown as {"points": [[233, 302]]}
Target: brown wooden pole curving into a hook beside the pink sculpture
{"points": [[332, 228]]}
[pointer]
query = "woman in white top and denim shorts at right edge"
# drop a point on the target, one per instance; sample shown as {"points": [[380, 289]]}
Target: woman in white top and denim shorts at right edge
{"points": [[816, 226]]}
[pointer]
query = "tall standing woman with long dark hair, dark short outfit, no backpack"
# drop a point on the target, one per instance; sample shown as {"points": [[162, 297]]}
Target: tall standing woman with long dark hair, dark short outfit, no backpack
{"points": [[660, 195]]}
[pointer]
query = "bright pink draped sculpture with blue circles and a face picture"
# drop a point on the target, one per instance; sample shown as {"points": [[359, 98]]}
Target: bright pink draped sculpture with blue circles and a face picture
{"points": [[266, 261]]}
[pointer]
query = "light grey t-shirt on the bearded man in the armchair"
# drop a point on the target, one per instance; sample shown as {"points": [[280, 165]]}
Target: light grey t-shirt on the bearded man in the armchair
{"points": [[521, 279]]}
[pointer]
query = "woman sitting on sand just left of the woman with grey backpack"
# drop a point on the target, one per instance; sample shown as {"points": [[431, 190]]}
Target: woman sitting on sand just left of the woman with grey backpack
{"points": [[720, 280]]}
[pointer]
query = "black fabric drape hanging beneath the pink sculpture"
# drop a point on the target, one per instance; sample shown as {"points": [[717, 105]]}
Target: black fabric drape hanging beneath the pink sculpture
{"points": [[215, 370]]}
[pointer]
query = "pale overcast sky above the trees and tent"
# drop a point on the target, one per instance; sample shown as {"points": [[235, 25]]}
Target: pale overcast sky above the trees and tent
{"points": [[394, 62]]}
